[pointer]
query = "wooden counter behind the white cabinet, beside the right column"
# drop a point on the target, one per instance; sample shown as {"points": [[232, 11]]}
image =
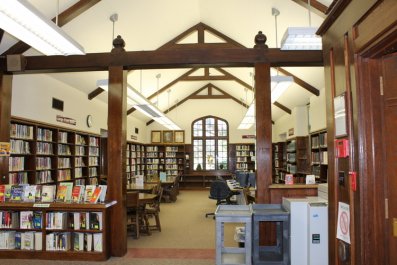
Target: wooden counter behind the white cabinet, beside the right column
{"points": [[278, 191]]}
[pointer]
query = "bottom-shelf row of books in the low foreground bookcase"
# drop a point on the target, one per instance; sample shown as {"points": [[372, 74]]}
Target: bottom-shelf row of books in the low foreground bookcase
{"points": [[58, 241]]}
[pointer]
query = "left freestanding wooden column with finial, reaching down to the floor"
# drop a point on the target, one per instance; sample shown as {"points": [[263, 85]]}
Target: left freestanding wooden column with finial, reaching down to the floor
{"points": [[116, 162]]}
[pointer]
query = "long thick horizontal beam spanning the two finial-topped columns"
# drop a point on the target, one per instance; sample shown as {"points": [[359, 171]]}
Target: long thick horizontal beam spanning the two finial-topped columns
{"points": [[165, 59]]}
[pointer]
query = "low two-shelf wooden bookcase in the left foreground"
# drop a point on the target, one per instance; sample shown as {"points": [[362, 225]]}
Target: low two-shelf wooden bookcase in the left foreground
{"points": [[96, 254]]}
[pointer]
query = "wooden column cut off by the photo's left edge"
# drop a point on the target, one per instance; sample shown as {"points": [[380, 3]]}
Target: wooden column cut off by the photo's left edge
{"points": [[5, 117]]}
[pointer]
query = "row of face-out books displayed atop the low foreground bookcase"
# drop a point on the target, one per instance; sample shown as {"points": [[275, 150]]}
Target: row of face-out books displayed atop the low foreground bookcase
{"points": [[65, 192]]}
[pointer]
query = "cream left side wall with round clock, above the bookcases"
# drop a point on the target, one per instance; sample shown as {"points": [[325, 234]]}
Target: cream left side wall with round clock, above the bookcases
{"points": [[32, 99]]}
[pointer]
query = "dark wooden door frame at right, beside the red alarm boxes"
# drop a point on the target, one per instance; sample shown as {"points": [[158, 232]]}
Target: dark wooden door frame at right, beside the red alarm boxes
{"points": [[371, 152]]}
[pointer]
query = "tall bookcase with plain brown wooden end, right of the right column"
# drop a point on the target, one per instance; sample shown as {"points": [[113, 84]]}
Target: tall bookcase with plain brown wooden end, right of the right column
{"points": [[298, 158]]}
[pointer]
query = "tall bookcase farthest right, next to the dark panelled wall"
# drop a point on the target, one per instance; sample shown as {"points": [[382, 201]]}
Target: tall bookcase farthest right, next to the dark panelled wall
{"points": [[319, 156]]}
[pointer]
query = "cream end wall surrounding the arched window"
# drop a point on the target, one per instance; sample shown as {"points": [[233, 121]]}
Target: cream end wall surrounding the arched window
{"points": [[226, 109]]}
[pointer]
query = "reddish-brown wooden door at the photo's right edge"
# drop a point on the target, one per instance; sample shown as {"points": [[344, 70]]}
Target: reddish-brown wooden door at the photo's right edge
{"points": [[389, 65]]}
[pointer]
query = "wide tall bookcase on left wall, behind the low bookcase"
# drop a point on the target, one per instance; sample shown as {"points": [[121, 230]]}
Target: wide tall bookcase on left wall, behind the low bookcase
{"points": [[45, 154]]}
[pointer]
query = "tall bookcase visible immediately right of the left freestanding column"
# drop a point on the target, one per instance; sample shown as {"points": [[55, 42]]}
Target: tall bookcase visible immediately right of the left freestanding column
{"points": [[135, 160]]}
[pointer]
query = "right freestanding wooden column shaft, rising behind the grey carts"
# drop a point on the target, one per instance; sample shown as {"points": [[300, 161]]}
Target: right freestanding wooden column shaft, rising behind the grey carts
{"points": [[263, 132]]}
